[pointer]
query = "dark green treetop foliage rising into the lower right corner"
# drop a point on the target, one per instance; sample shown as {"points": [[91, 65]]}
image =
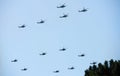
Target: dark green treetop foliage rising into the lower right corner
{"points": [[109, 68]]}
